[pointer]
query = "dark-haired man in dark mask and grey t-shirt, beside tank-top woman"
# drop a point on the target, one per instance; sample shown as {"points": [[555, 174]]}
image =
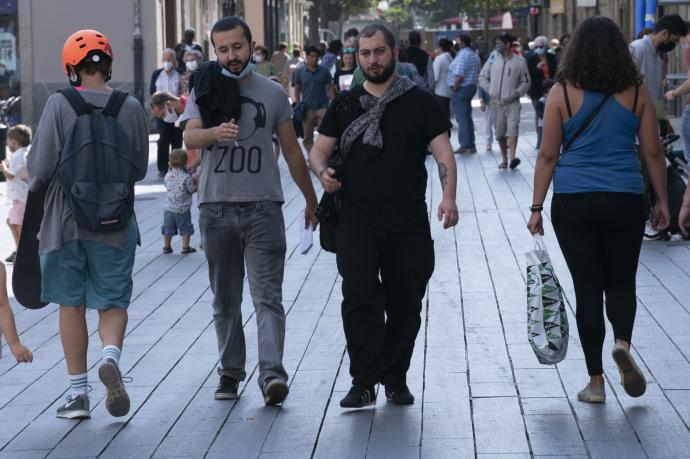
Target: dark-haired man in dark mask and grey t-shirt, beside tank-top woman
{"points": [[647, 51]]}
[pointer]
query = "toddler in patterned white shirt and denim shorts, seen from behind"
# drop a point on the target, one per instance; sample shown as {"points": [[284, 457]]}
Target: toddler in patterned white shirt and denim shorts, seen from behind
{"points": [[177, 216]]}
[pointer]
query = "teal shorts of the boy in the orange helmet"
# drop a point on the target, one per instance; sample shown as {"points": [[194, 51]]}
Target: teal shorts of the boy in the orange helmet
{"points": [[89, 273]]}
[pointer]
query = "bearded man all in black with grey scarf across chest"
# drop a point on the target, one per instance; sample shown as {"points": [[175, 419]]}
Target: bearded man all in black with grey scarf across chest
{"points": [[380, 132]]}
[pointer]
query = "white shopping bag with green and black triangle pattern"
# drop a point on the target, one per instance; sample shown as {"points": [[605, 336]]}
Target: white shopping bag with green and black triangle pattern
{"points": [[547, 320]]}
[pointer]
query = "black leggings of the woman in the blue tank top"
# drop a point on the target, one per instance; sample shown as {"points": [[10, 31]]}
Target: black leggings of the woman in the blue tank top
{"points": [[600, 235]]}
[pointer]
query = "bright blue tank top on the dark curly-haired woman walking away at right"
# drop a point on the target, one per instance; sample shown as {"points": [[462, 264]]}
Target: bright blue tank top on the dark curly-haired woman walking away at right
{"points": [[603, 158]]}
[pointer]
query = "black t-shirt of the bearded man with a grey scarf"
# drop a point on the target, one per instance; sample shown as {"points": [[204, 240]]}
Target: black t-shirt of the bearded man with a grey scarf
{"points": [[387, 190]]}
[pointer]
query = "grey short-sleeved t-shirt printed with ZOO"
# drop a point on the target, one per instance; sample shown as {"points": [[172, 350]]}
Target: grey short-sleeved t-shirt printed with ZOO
{"points": [[246, 171]]}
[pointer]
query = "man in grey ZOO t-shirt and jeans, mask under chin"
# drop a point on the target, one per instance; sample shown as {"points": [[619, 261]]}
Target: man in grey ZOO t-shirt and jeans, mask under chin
{"points": [[241, 220]]}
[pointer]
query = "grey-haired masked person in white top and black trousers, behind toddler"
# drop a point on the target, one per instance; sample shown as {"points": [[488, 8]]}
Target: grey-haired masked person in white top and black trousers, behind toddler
{"points": [[166, 78]]}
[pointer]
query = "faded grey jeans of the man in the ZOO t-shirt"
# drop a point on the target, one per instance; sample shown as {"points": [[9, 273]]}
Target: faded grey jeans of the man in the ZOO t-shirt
{"points": [[235, 234]]}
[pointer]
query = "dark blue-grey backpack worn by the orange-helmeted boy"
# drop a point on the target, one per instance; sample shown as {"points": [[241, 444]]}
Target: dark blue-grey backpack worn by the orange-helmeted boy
{"points": [[97, 169]]}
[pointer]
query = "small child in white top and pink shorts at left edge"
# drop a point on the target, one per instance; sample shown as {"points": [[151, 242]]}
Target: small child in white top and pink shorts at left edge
{"points": [[18, 140]]}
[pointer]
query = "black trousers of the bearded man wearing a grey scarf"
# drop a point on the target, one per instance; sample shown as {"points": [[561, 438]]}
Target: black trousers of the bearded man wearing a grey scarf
{"points": [[384, 279]]}
